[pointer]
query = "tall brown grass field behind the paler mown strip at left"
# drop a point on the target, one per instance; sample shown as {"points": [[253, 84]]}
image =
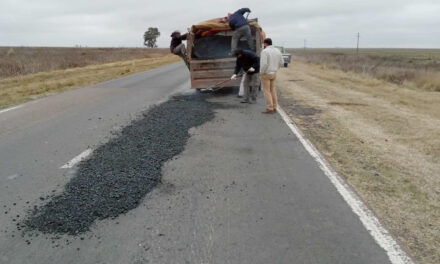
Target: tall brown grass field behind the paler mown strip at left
{"points": [[15, 61]]}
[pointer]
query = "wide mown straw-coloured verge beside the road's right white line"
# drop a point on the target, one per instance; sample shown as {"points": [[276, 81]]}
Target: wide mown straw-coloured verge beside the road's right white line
{"points": [[382, 138]]}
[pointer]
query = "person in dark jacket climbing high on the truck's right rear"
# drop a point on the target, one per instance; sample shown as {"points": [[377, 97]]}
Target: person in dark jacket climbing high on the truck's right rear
{"points": [[241, 28]]}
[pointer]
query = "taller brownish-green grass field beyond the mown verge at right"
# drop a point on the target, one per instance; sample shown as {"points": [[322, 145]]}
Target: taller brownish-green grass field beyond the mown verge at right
{"points": [[413, 68]]}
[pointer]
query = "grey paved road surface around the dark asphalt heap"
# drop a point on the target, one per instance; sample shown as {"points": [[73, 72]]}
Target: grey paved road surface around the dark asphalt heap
{"points": [[243, 191]]}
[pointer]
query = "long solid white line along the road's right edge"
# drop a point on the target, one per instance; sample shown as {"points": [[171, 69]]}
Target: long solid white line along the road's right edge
{"points": [[368, 219]]}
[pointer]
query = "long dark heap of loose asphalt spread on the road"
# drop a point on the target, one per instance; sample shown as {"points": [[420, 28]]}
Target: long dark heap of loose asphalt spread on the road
{"points": [[121, 172]]}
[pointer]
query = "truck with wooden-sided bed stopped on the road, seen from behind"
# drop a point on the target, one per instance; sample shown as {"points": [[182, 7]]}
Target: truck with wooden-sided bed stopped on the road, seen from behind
{"points": [[209, 54]]}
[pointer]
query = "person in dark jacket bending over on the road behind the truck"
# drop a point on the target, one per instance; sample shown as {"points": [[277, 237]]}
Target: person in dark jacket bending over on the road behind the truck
{"points": [[250, 63]]}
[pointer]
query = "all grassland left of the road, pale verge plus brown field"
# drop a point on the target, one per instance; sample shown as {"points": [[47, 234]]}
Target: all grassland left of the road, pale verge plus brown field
{"points": [[43, 71]]}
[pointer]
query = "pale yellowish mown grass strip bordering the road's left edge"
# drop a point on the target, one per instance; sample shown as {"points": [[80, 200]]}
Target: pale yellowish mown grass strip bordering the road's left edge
{"points": [[19, 89]]}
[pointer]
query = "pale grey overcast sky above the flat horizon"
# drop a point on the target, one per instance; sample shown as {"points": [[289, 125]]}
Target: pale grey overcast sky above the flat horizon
{"points": [[324, 23]]}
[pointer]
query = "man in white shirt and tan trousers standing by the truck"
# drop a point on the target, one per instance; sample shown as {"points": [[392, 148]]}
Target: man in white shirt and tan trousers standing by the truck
{"points": [[271, 60]]}
